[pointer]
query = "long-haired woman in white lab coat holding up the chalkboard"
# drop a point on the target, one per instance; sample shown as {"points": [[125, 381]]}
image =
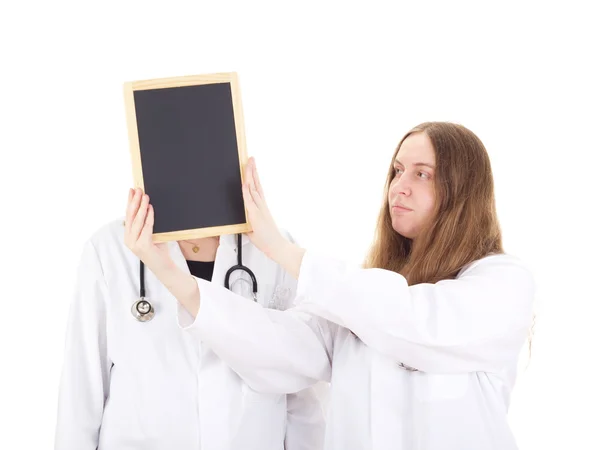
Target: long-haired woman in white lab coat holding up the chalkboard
{"points": [[421, 345]]}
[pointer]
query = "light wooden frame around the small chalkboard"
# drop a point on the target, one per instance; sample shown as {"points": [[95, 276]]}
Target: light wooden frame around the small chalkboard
{"points": [[134, 144]]}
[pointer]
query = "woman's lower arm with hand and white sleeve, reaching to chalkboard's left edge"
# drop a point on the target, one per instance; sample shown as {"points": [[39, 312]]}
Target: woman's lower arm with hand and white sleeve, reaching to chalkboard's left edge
{"points": [[273, 351]]}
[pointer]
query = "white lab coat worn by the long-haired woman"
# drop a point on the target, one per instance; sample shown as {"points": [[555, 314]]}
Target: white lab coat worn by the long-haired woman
{"points": [[463, 336]]}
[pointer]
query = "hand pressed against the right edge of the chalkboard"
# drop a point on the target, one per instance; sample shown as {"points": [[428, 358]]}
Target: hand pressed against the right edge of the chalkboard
{"points": [[265, 234]]}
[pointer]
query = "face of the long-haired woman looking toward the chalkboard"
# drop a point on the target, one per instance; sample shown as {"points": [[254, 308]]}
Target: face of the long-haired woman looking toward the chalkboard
{"points": [[411, 194]]}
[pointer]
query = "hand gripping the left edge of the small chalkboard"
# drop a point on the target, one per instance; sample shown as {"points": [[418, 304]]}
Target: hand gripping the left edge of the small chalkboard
{"points": [[139, 223]]}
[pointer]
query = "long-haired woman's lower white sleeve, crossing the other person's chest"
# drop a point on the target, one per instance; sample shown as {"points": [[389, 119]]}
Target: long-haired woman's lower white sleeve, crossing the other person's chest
{"points": [[272, 351]]}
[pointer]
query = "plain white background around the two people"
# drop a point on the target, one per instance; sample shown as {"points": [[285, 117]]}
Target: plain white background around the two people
{"points": [[328, 89]]}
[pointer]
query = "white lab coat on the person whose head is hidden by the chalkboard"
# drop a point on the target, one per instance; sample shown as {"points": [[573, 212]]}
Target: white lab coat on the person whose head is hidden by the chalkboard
{"points": [[133, 385]]}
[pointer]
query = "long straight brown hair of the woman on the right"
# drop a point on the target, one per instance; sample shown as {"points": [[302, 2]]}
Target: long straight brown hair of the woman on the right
{"points": [[464, 226]]}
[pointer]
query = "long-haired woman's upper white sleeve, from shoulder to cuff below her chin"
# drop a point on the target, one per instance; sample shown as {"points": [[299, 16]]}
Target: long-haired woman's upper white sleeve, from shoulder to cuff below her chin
{"points": [[477, 322]]}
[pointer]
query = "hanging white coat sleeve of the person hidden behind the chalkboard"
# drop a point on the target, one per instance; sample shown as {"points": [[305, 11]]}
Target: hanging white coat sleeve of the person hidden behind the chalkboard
{"points": [[86, 370]]}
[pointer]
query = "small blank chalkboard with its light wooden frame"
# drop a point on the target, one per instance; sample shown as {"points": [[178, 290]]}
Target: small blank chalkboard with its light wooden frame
{"points": [[188, 150]]}
